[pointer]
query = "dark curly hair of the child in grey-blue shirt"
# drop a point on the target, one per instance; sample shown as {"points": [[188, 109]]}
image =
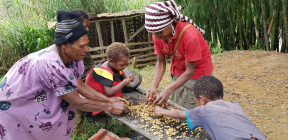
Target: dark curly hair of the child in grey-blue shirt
{"points": [[208, 86]]}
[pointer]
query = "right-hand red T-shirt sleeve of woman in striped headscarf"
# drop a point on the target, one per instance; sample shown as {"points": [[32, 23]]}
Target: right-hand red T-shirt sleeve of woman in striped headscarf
{"points": [[193, 51]]}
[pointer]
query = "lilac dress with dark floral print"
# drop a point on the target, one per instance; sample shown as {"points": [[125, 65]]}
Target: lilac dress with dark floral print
{"points": [[30, 103]]}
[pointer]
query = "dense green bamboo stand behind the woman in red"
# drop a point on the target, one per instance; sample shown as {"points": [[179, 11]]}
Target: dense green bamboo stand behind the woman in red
{"points": [[240, 24]]}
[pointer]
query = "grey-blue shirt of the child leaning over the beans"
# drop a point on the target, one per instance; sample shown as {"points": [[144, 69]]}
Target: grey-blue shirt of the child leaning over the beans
{"points": [[224, 121]]}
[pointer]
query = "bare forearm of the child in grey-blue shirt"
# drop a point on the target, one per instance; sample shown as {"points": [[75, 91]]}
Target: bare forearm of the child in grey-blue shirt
{"points": [[175, 114]]}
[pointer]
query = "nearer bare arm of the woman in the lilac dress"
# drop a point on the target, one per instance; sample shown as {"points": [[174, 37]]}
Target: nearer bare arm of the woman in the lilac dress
{"points": [[76, 101]]}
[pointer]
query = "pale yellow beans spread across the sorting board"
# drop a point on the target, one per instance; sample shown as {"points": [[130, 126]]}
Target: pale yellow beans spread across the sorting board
{"points": [[160, 126]]}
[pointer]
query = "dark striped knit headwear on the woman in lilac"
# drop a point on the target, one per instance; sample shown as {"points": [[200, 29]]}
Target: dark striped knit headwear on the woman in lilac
{"points": [[69, 27]]}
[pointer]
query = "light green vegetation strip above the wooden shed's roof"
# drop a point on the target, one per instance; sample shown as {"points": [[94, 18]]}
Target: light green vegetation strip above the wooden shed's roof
{"points": [[92, 6]]}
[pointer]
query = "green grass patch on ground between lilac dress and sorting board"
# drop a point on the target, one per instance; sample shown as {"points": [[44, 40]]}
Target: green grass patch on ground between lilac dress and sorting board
{"points": [[87, 128]]}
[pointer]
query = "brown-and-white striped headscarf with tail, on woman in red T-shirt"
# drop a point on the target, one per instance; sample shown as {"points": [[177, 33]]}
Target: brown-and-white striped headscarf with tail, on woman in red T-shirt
{"points": [[160, 15]]}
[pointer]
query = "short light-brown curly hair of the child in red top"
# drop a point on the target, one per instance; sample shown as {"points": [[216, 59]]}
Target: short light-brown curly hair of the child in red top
{"points": [[115, 50]]}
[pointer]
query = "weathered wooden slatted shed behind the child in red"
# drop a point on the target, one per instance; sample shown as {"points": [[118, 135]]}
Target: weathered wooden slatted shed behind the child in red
{"points": [[126, 27]]}
